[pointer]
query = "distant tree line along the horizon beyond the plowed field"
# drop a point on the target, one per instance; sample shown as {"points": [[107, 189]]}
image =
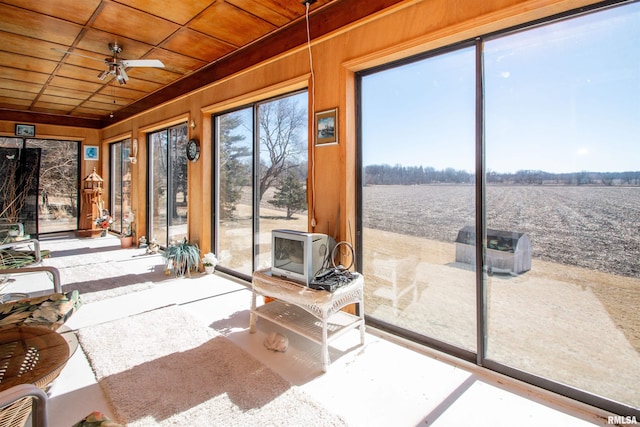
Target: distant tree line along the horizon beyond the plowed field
{"points": [[417, 175]]}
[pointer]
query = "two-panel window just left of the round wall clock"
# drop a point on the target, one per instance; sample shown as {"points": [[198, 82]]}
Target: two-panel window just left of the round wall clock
{"points": [[167, 207]]}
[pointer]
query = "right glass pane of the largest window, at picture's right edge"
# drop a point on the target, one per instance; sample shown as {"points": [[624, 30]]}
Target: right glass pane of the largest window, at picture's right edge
{"points": [[562, 150]]}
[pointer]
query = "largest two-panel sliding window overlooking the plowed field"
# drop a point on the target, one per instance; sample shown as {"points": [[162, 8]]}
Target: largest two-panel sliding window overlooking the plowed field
{"points": [[553, 134]]}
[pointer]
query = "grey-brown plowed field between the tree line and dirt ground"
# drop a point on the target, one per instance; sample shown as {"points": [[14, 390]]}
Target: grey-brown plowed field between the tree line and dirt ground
{"points": [[592, 227]]}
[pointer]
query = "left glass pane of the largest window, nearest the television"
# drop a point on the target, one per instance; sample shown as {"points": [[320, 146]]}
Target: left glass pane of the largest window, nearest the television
{"points": [[418, 151]]}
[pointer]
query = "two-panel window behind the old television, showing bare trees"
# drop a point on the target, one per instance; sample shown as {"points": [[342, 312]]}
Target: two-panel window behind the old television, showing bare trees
{"points": [[261, 164]]}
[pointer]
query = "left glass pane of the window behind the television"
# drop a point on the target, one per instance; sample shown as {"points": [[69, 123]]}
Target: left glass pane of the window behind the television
{"points": [[234, 136]]}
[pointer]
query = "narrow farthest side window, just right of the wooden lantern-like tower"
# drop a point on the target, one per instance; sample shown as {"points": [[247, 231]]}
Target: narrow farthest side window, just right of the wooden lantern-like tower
{"points": [[120, 197]]}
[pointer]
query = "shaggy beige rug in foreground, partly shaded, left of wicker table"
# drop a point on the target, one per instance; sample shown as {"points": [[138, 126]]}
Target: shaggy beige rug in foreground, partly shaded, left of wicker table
{"points": [[164, 368]]}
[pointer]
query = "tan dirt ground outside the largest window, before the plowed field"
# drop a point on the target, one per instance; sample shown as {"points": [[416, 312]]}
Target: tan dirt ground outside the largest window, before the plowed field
{"points": [[571, 324]]}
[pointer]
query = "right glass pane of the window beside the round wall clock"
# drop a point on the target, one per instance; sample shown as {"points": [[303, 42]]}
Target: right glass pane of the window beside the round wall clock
{"points": [[177, 203]]}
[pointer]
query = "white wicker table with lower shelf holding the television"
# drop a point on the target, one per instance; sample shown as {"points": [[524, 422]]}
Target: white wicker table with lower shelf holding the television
{"points": [[314, 314]]}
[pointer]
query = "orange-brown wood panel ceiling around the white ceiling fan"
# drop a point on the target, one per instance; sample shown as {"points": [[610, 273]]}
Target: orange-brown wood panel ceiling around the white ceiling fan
{"points": [[198, 41]]}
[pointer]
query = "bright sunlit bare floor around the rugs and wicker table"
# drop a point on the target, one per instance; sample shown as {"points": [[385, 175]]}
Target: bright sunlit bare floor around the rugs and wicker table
{"points": [[385, 382]]}
